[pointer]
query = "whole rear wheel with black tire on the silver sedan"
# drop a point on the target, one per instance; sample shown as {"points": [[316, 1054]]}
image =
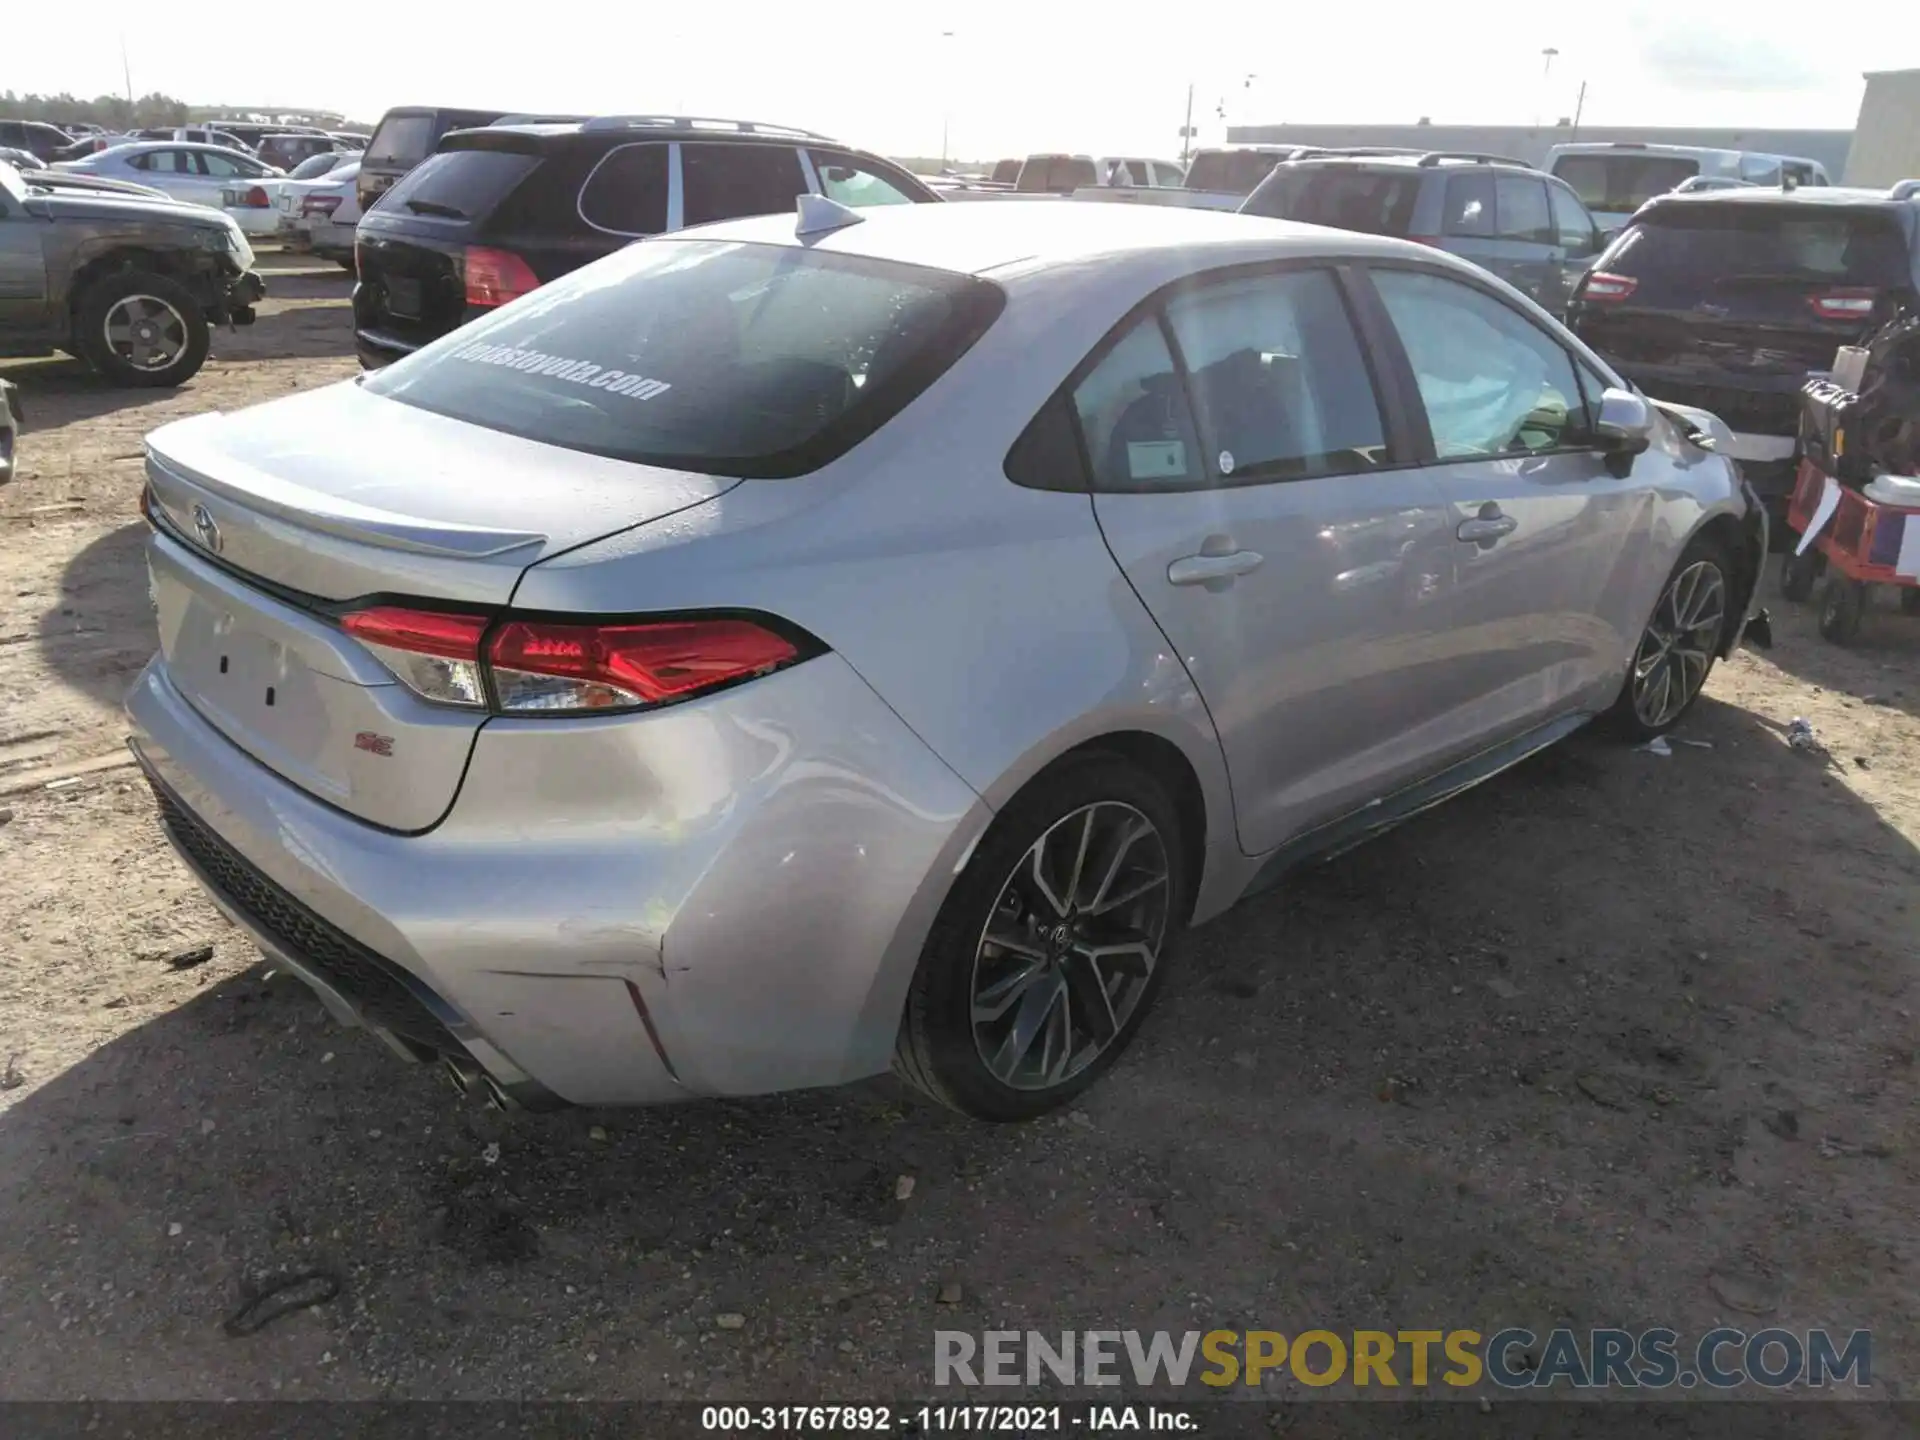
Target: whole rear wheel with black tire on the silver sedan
{"points": [[1051, 988]]}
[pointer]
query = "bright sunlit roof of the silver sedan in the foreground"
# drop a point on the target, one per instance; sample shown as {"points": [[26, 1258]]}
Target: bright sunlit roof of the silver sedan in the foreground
{"points": [[1044, 235]]}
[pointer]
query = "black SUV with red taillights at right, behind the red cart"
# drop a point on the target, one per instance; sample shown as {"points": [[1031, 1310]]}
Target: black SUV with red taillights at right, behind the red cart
{"points": [[1731, 299]]}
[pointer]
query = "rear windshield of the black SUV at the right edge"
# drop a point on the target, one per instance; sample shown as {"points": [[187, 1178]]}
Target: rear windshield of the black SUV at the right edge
{"points": [[1733, 243]]}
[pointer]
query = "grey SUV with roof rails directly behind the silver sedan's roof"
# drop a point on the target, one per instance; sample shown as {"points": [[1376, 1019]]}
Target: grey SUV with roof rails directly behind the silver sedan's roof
{"points": [[1502, 214]]}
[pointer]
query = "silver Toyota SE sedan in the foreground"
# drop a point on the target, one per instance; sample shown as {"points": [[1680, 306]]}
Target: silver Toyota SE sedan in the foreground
{"points": [[790, 650]]}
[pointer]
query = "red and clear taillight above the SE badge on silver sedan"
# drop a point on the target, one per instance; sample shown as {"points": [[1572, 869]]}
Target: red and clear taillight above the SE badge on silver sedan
{"points": [[540, 667]]}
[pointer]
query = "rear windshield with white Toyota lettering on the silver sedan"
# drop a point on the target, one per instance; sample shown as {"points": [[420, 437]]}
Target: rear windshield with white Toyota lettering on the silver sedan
{"points": [[721, 358]]}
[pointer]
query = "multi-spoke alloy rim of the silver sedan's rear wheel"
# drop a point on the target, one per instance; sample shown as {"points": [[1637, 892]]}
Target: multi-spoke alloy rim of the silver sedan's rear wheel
{"points": [[1070, 946]]}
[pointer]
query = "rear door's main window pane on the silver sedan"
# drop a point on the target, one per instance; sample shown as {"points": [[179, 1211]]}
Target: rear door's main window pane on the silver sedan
{"points": [[1278, 379]]}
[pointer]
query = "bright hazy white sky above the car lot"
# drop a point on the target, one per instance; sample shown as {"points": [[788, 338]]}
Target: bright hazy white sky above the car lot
{"points": [[1003, 78]]}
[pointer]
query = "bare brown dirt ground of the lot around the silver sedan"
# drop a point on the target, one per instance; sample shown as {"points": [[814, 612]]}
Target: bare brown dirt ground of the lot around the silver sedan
{"points": [[1618, 1040]]}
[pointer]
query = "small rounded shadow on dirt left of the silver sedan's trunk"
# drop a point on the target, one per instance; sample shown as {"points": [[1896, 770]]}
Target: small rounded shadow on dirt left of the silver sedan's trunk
{"points": [[101, 629]]}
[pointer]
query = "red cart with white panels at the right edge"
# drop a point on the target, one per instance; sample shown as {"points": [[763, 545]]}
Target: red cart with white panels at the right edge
{"points": [[1858, 548]]}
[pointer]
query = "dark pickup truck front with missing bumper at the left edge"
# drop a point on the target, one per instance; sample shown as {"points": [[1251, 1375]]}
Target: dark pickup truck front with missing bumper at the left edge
{"points": [[128, 285]]}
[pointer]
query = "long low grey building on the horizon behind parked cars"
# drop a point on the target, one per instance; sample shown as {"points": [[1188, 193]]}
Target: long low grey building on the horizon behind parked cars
{"points": [[1531, 143]]}
